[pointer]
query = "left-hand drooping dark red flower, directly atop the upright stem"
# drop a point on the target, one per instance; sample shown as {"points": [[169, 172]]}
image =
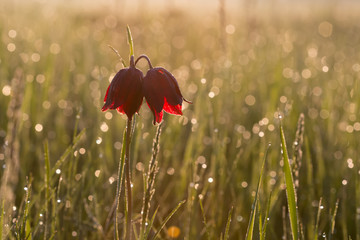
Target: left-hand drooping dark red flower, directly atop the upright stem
{"points": [[125, 91]]}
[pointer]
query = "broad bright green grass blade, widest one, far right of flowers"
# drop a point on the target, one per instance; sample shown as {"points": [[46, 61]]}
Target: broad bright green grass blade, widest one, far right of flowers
{"points": [[290, 188]]}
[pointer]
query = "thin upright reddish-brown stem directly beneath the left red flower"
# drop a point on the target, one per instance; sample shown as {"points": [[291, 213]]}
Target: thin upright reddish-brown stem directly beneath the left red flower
{"points": [[128, 179]]}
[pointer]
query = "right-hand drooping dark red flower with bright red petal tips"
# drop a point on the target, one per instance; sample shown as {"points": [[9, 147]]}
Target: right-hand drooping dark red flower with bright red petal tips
{"points": [[162, 92]]}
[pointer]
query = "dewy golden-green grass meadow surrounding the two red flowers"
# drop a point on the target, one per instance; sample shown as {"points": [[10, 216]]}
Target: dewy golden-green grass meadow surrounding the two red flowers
{"points": [[247, 71]]}
